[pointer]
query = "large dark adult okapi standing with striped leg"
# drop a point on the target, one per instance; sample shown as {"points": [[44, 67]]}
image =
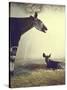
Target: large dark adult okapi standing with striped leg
{"points": [[17, 27]]}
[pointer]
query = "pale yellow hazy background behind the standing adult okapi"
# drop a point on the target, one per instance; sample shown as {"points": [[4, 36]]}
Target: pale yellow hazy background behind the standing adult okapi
{"points": [[33, 43]]}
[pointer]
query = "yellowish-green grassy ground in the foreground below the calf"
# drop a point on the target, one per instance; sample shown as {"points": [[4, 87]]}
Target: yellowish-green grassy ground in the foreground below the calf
{"points": [[39, 77]]}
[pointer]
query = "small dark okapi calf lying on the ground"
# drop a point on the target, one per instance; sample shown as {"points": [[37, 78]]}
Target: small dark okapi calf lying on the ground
{"points": [[50, 63]]}
